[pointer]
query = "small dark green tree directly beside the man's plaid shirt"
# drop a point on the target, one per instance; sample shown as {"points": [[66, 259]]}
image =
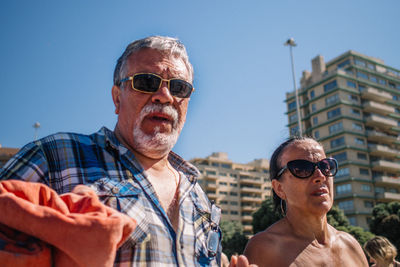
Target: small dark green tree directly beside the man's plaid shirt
{"points": [[233, 239]]}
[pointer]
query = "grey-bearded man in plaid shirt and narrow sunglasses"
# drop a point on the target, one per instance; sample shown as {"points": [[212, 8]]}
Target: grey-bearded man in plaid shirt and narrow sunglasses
{"points": [[132, 168]]}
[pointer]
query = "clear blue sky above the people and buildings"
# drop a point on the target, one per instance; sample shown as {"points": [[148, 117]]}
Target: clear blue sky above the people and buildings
{"points": [[57, 60]]}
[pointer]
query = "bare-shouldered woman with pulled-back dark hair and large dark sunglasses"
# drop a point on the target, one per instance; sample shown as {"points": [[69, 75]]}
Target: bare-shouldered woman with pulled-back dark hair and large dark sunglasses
{"points": [[302, 181]]}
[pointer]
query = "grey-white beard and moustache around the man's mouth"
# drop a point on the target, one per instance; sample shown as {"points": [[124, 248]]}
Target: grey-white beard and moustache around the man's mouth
{"points": [[157, 144]]}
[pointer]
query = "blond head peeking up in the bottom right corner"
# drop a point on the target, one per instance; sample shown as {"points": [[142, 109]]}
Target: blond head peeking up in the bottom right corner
{"points": [[381, 252]]}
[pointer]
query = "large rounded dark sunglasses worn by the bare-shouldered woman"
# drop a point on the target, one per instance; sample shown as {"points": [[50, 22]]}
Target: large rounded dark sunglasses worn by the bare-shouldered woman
{"points": [[302, 168]]}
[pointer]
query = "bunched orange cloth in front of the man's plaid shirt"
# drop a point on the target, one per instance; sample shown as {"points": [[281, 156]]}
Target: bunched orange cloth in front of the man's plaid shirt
{"points": [[81, 230]]}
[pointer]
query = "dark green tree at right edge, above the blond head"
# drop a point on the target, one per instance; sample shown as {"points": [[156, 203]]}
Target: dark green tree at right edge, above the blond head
{"points": [[385, 222]]}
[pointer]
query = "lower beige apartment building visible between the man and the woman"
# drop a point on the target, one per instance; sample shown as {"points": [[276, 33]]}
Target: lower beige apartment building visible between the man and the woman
{"points": [[237, 188]]}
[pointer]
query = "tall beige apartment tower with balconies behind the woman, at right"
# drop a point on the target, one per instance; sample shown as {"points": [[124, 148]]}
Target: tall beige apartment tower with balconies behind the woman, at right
{"points": [[351, 104]]}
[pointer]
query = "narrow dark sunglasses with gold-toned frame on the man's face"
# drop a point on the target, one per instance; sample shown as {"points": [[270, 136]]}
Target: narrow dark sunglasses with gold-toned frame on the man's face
{"points": [[149, 83]]}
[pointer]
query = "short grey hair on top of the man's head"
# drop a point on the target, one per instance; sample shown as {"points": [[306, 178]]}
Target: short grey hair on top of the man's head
{"points": [[161, 43]]}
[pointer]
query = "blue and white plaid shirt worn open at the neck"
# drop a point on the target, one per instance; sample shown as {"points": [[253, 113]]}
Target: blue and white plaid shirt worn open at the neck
{"points": [[65, 160]]}
